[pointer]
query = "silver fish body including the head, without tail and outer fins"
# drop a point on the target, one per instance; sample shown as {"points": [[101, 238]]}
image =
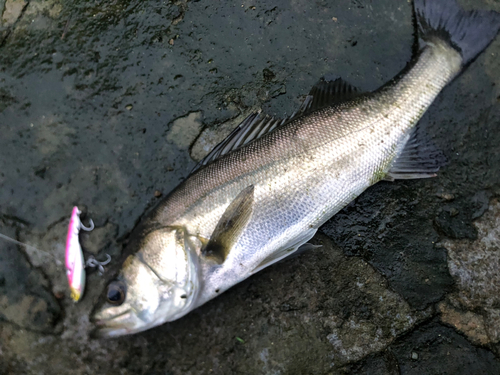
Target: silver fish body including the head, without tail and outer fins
{"points": [[296, 177]]}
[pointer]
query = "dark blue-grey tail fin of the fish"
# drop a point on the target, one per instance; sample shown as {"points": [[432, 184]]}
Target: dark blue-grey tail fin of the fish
{"points": [[468, 32]]}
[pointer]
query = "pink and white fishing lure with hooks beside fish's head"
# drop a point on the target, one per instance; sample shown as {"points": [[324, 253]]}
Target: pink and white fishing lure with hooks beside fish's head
{"points": [[75, 266]]}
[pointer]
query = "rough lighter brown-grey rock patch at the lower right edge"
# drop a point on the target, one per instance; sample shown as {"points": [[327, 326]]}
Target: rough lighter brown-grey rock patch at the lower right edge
{"points": [[474, 266]]}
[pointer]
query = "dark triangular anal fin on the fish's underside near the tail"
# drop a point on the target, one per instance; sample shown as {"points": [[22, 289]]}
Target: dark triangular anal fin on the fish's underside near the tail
{"points": [[419, 159]]}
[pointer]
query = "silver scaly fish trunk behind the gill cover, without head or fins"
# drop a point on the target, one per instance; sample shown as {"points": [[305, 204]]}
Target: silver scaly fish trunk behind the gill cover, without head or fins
{"points": [[307, 171]]}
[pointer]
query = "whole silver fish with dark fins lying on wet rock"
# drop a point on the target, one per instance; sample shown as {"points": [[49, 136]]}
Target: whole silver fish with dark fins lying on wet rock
{"points": [[263, 192]]}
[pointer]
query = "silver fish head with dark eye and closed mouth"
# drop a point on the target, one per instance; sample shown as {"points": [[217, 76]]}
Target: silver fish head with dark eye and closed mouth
{"points": [[156, 284]]}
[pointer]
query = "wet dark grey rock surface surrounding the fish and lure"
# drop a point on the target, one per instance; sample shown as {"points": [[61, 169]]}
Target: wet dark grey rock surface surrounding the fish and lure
{"points": [[108, 105]]}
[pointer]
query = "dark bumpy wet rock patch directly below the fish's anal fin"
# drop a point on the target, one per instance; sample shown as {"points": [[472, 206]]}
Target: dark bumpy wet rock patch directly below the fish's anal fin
{"points": [[389, 226]]}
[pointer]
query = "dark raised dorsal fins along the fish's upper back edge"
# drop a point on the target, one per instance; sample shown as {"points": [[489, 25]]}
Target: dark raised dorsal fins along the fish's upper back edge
{"points": [[322, 94]]}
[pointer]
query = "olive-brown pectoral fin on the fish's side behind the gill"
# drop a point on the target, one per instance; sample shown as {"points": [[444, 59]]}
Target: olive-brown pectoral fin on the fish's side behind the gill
{"points": [[230, 226]]}
